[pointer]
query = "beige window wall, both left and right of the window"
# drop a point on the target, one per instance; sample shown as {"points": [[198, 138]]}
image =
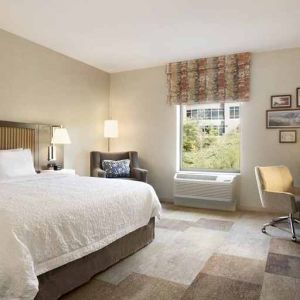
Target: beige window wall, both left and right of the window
{"points": [[148, 124]]}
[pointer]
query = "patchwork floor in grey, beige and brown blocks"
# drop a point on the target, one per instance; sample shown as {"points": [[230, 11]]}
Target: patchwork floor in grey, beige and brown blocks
{"points": [[204, 254]]}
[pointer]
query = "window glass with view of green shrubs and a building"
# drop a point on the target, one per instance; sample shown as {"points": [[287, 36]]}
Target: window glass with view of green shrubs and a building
{"points": [[210, 137]]}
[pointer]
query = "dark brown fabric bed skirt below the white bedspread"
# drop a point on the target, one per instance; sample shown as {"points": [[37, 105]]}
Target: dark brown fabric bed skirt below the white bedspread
{"points": [[66, 278]]}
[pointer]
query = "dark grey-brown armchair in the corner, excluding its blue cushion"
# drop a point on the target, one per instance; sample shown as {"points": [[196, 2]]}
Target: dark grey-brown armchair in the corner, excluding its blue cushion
{"points": [[136, 173]]}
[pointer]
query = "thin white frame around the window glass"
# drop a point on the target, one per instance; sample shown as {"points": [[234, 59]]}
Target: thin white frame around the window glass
{"points": [[201, 170]]}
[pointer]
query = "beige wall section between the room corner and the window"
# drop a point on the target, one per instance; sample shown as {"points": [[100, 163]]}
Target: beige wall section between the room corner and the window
{"points": [[147, 124]]}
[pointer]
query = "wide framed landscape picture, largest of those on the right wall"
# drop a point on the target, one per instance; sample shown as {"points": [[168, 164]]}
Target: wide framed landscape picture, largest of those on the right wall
{"points": [[284, 118]]}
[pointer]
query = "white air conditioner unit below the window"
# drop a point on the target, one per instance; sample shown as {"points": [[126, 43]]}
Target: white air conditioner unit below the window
{"points": [[204, 190]]}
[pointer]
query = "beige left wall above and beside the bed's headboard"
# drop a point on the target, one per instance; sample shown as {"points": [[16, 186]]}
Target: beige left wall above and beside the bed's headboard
{"points": [[40, 85]]}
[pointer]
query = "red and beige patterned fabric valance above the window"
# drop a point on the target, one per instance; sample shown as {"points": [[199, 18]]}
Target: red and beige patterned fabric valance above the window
{"points": [[214, 79]]}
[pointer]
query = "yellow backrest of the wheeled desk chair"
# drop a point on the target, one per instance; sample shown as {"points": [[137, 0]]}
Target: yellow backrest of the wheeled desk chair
{"points": [[273, 179]]}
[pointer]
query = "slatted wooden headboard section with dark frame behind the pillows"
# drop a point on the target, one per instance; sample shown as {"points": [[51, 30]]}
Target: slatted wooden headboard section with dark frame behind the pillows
{"points": [[15, 135]]}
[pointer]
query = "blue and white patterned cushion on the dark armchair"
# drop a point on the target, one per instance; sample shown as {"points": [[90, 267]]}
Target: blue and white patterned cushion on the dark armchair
{"points": [[116, 168]]}
